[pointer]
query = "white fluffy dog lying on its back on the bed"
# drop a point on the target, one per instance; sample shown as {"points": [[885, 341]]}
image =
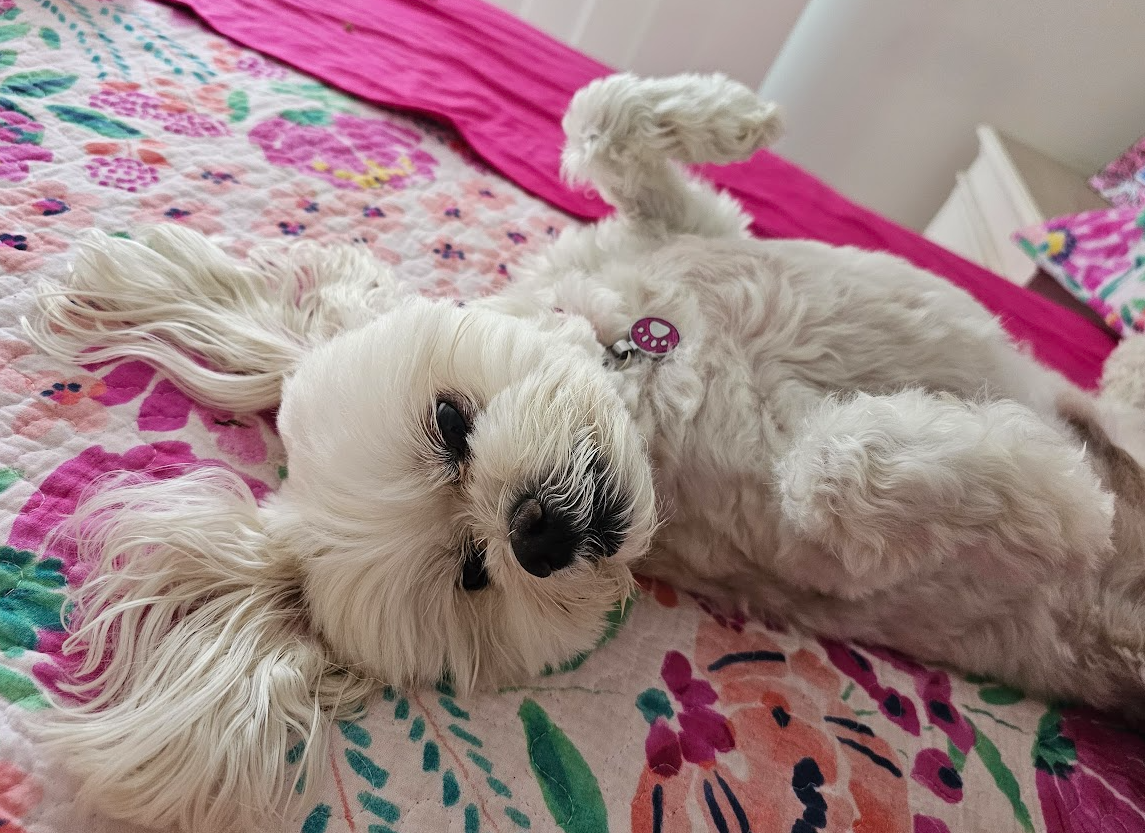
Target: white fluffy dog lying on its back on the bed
{"points": [[828, 435]]}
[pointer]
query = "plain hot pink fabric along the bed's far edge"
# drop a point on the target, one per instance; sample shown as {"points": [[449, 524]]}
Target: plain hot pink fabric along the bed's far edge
{"points": [[504, 85]]}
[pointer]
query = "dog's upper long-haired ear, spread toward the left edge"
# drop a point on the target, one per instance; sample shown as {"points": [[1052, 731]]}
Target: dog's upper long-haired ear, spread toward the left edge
{"points": [[226, 332]]}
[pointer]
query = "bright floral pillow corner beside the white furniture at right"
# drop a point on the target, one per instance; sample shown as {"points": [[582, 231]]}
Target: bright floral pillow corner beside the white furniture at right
{"points": [[1100, 257]]}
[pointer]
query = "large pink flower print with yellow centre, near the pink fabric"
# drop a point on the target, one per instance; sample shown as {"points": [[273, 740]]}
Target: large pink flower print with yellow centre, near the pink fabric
{"points": [[351, 153]]}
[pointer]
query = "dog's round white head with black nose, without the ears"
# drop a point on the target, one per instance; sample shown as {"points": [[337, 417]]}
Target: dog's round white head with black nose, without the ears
{"points": [[467, 491]]}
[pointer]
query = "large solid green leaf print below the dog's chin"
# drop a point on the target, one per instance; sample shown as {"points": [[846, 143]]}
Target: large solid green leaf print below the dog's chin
{"points": [[568, 787]]}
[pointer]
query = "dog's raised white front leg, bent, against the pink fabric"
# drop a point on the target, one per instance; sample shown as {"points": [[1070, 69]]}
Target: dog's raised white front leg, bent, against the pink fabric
{"points": [[626, 137]]}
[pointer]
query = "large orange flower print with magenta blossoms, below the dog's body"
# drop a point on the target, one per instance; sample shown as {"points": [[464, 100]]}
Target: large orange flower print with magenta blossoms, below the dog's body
{"points": [[741, 711]]}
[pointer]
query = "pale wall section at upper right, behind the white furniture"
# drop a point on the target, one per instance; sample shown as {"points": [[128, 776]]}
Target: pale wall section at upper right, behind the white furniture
{"points": [[883, 96]]}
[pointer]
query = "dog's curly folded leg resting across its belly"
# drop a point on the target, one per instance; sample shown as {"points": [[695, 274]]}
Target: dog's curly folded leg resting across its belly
{"points": [[880, 489]]}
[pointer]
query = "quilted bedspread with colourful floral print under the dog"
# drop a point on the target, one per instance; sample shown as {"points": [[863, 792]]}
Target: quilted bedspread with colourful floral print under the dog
{"points": [[119, 115]]}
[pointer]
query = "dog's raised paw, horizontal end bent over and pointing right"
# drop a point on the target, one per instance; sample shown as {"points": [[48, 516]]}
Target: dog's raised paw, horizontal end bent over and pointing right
{"points": [[691, 118]]}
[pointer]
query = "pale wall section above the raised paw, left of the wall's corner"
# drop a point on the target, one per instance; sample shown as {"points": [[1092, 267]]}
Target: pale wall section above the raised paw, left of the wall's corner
{"points": [[661, 37]]}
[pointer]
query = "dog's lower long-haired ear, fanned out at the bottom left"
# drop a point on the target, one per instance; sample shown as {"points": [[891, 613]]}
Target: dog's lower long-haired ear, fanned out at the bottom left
{"points": [[198, 677]]}
